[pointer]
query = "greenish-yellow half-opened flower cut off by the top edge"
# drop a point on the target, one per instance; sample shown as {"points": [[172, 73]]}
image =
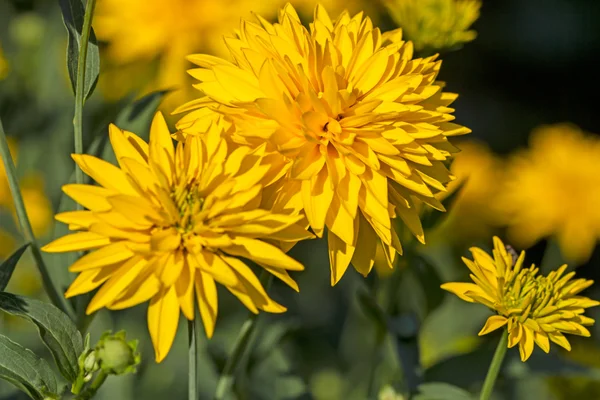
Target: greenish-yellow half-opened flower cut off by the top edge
{"points": [[435, 24]]}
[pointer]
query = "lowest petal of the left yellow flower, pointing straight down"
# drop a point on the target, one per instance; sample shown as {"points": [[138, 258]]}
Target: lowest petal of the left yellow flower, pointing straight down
{"points": [[163, 318]]}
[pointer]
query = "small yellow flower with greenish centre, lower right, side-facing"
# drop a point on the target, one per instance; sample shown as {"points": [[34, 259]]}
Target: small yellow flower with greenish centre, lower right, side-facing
{"points": [[535, 308]]}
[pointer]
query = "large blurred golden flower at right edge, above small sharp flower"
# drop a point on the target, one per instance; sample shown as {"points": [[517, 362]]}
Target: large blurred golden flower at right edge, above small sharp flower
{"points": [[553, 189]]}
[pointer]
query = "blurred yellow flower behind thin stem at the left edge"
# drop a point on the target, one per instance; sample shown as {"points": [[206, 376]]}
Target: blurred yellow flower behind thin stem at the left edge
{"points": [[37, 205]]}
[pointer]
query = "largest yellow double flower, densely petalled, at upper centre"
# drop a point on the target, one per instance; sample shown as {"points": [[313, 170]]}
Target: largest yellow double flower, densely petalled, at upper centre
{"points": [[362, 126]]}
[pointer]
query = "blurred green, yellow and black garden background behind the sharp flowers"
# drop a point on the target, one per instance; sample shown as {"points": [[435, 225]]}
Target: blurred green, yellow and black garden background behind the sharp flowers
{"points": [[529, 172]]}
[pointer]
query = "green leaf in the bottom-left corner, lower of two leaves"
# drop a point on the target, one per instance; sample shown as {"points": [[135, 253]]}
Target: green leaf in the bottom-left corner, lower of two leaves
{"points": [[27, 371]]}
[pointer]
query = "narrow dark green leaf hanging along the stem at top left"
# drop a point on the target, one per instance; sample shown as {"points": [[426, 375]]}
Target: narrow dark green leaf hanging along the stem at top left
{"points": [[73, 12]]}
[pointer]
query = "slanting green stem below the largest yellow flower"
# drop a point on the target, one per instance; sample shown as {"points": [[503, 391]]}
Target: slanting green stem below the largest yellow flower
{"points": [[240, 347]]}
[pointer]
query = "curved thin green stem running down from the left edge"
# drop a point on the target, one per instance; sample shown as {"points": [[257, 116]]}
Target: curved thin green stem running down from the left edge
{"points": [[55, 296]]}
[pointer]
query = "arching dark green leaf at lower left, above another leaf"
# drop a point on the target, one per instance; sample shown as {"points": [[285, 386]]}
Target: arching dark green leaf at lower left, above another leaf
{"points": [[56, 329]]}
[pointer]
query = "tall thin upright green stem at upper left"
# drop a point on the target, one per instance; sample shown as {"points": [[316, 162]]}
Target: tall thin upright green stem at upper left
{"points": [[80, 85]]}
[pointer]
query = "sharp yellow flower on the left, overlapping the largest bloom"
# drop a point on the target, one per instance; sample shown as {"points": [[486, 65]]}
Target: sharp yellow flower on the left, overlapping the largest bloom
{"points": [[171, 220]]}
